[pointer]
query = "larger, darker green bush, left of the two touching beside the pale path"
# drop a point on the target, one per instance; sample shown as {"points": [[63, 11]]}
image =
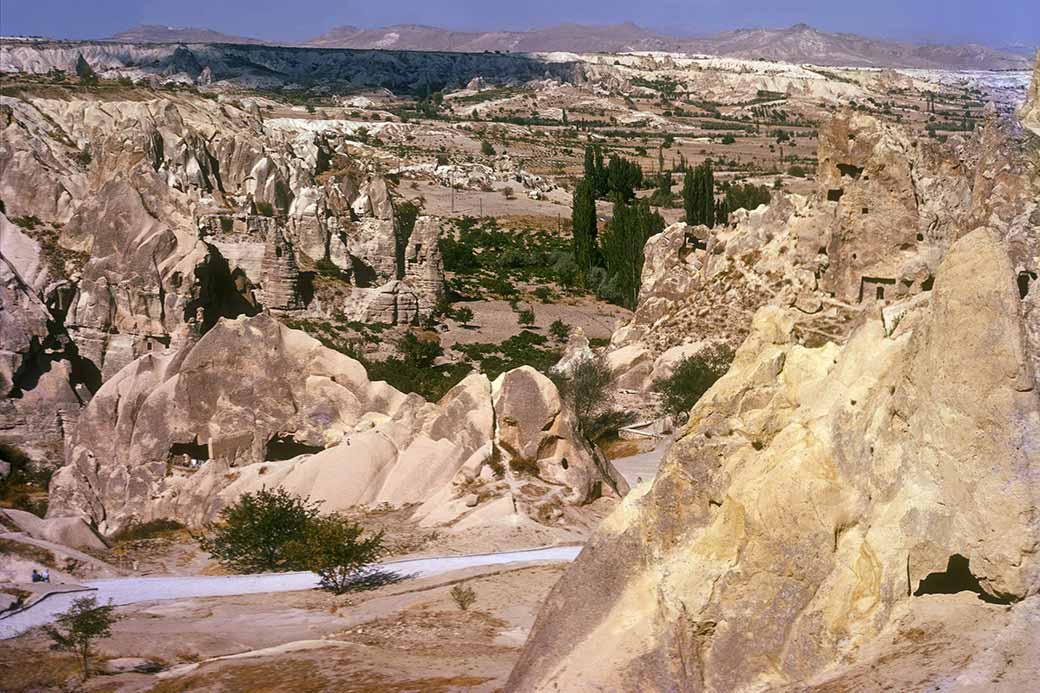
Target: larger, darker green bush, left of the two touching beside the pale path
{"points": [[253, 535]]}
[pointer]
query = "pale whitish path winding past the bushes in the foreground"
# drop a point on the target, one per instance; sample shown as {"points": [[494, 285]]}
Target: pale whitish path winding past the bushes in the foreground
{"points": [[129, 591]]}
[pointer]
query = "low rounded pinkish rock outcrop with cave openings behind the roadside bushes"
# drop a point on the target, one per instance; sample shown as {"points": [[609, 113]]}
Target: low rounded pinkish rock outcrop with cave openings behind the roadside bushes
{"points": [[180, 434]]}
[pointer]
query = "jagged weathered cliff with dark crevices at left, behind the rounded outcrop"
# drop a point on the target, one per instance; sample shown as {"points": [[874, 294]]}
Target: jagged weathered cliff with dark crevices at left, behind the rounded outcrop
{"points": [[147, 218]]}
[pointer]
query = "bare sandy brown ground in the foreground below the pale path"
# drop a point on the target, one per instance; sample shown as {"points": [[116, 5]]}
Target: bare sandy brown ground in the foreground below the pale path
{"points": [[398, 638]]}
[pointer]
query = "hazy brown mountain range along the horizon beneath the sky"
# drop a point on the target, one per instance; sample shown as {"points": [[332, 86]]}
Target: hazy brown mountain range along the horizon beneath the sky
{"points": [[797, 44]]}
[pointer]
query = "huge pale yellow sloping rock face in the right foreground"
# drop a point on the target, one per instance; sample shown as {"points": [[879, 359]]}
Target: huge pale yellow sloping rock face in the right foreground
{"points": [[812, 494]]}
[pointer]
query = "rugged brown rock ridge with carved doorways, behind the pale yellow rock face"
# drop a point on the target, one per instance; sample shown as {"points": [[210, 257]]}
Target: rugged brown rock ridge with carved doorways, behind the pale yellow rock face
{"points": [[888, 210]]}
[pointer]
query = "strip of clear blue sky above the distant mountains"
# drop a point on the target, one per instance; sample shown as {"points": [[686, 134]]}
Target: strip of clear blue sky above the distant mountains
{"points": [[996, 22]]}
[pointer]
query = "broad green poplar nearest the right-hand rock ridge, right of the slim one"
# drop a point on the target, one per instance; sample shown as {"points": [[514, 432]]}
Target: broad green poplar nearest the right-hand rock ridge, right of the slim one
{"points": [[623, 247]]}
